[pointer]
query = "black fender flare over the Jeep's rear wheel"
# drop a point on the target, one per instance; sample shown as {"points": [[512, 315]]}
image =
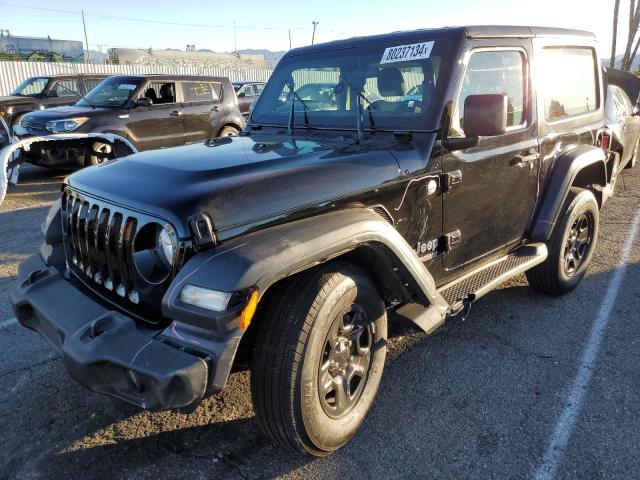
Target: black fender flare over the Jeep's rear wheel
{"points": [[565, 173]]}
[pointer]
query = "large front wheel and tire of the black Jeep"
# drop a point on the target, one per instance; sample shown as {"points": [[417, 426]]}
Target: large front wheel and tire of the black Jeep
{"points": [[298, 343]]}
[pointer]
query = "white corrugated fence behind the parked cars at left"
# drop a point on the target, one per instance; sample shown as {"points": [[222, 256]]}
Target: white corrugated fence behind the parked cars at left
{"points": [[13, 73]]}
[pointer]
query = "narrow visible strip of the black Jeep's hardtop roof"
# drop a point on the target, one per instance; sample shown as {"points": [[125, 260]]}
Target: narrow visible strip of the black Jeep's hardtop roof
{"points": [[471, 31]]}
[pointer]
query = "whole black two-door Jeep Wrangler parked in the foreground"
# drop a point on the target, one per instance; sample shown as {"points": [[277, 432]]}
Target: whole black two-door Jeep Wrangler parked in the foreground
{"points": [[442, 163]]}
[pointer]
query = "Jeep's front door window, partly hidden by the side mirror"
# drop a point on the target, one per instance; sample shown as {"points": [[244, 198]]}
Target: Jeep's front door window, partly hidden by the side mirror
{"points": [[499, 71]]}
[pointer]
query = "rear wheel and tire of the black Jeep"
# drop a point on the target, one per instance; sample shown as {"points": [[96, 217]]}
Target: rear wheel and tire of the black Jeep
{"points": [[580, 218]]}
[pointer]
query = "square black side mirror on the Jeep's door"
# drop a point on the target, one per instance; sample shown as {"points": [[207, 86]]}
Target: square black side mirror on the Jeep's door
{"points": [[485, 115]]}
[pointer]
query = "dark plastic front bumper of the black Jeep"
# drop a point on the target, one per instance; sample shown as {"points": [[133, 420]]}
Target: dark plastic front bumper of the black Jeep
{"points": [[110, 353]]}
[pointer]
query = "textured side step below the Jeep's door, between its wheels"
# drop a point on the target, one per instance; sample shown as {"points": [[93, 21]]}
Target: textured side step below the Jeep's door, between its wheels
{"points": [[476, 284]]}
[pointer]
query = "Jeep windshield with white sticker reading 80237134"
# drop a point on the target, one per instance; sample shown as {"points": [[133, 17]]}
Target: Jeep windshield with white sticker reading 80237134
{"points": [[396, 85]]}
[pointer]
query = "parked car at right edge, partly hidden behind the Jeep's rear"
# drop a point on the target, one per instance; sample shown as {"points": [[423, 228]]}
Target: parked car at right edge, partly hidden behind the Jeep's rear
{"points": [[622, 117]]}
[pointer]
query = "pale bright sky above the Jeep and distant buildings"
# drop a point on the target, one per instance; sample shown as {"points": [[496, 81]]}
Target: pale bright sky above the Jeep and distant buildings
{"points": [[266, 24]]}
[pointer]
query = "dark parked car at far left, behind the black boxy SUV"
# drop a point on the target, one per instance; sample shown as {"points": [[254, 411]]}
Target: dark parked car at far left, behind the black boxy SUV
{"points": [[38, 93]]}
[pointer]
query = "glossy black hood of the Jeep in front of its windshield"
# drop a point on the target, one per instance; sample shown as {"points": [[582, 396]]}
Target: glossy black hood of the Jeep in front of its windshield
{"points": [[241, 181]]}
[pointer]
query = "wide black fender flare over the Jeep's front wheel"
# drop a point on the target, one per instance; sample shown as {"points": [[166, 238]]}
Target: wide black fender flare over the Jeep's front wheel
{"points": [[262, 258]]}
